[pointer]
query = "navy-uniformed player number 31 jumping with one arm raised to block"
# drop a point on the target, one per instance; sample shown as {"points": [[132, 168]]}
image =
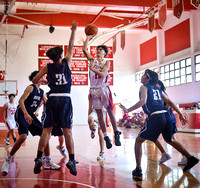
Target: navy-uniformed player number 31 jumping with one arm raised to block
{"points": [[58, 106]]}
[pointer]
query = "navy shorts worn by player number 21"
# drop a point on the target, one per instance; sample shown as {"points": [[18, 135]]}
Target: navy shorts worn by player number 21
{"points": [[155, 125]]}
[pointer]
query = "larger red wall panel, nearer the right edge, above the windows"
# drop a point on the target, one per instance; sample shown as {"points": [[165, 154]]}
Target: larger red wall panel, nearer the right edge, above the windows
{"points": [[177, 38]]}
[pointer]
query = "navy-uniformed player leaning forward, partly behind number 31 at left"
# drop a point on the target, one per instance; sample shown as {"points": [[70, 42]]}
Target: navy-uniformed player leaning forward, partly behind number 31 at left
{"points": [[27, 121]]}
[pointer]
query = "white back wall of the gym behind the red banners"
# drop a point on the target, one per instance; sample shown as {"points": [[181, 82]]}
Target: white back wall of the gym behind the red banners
{"points": [[23, 59]]}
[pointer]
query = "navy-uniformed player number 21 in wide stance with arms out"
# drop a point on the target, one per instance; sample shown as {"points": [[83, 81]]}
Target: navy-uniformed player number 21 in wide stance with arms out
{"points": [[159, 120]]}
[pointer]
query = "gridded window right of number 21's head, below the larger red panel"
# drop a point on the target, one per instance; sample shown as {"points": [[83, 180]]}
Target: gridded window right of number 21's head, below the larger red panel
{"points": [[177, 73]]}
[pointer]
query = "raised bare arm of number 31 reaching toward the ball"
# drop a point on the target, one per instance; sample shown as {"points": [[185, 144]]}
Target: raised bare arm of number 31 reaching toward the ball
{"points": [[68, 56]]}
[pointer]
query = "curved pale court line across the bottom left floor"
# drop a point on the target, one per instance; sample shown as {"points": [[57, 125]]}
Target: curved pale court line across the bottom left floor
{"points": [[41, 179]]}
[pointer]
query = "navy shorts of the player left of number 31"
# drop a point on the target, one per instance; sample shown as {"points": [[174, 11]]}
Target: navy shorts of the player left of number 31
{"points": [[23, 127]]}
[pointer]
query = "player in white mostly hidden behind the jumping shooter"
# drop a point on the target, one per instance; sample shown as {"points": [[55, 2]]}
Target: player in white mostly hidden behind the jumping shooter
{"points": [[94, 125]]}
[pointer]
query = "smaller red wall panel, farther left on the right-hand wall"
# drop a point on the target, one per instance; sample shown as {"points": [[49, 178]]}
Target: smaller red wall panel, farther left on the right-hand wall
{"points": [[148, 51]]}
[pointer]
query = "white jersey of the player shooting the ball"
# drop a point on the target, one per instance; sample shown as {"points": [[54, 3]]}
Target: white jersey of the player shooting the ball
{"points": [[95, 79]]}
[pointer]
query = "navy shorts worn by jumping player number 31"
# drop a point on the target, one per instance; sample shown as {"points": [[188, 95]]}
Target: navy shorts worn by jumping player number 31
{"points": [[59, 112]]}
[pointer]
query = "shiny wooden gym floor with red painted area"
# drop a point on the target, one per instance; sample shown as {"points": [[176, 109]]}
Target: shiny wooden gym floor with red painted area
{"points": [[114, 172]]}
